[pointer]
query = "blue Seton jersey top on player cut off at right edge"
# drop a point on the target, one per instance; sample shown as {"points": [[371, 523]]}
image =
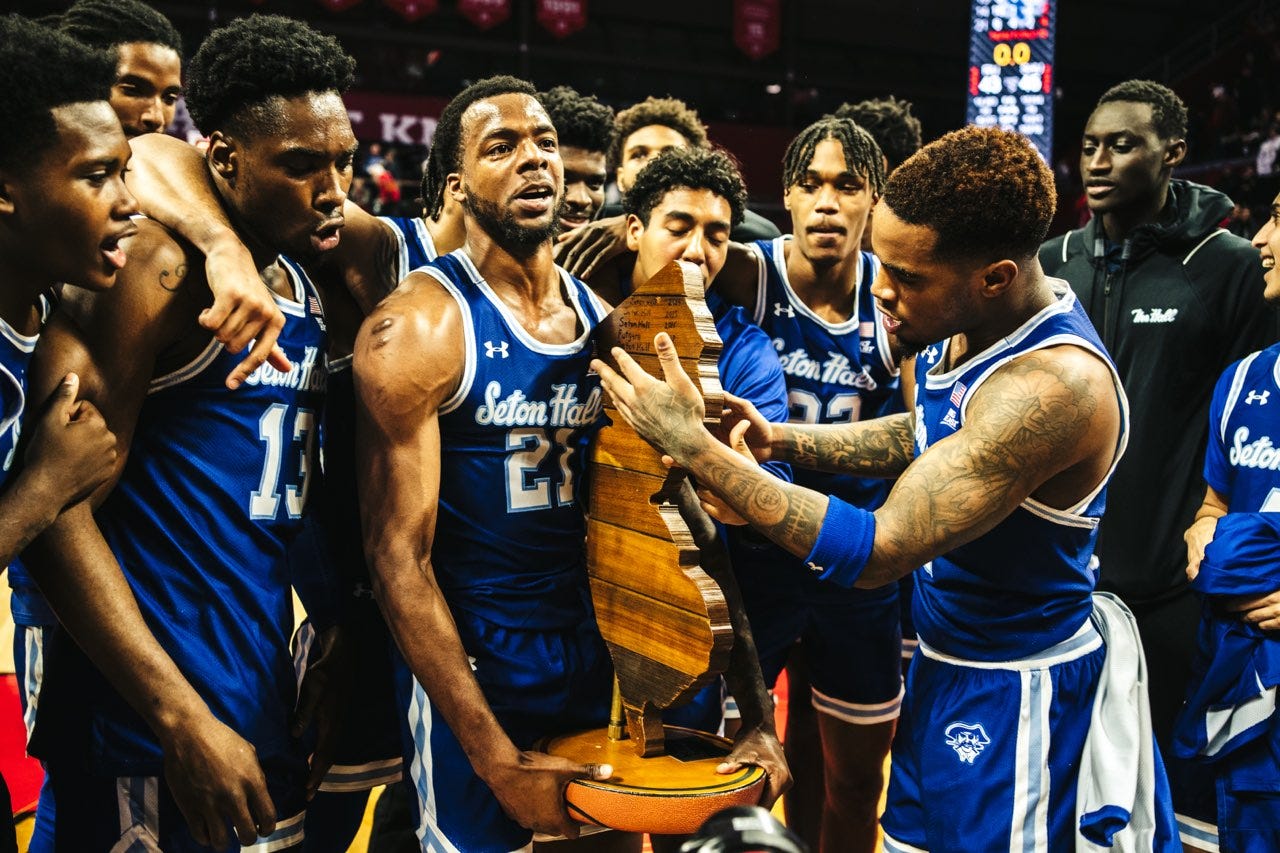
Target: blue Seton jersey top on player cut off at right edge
{"points": [[1242, 460]]}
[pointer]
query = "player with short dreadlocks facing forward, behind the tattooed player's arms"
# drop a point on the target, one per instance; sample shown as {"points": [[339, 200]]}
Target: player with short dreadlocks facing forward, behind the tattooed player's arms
{"points": [[811, 293]]}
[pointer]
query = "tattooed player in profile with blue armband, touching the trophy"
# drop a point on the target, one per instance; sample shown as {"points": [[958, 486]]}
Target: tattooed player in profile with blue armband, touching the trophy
{"points": [[1018, 423]]}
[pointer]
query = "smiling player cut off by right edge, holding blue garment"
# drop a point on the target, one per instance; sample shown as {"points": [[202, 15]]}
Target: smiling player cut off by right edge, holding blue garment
{"points": [[1233, 805]]}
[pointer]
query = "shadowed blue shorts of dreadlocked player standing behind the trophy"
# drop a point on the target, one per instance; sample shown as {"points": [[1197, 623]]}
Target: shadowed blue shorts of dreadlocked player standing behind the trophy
{"points": [[851, 638]]}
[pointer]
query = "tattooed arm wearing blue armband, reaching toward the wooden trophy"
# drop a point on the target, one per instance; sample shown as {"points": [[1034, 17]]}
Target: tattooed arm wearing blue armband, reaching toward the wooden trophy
{"points": [[1037, 427]]}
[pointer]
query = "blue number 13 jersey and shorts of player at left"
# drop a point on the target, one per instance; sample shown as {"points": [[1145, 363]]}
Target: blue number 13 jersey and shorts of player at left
{"points": [[213, 494]]}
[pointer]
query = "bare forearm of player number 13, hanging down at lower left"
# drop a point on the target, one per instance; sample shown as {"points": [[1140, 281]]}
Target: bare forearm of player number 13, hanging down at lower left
{"points": [[83, 582]]}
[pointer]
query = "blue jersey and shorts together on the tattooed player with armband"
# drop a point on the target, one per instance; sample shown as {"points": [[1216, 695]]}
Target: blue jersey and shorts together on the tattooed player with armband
{"points": [[1000, 696]]}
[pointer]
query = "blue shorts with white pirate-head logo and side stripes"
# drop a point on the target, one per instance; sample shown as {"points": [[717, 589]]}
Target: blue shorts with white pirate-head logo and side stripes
{"points": [[988, 755]]}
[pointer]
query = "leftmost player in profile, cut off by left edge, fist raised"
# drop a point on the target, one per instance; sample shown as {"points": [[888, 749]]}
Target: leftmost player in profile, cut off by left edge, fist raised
{"points": [[63, 215]]}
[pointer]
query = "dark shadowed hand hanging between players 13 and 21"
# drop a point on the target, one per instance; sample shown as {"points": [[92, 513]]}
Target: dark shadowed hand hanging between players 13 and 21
{"points": [[323, 700]]}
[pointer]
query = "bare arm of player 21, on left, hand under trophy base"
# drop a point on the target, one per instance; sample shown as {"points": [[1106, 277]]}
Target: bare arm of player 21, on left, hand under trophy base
{"points": [[408, 363]]}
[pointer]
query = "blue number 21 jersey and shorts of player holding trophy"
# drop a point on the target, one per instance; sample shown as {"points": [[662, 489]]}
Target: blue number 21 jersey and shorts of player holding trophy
{"points": [[510, 553]]}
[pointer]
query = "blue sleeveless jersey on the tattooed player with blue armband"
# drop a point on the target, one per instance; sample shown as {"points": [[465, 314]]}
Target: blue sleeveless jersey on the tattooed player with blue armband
{"points": [[1026, 585]]}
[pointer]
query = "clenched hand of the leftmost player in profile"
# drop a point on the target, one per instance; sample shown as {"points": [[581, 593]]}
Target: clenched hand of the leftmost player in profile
{"points": [[71, 451]]}
